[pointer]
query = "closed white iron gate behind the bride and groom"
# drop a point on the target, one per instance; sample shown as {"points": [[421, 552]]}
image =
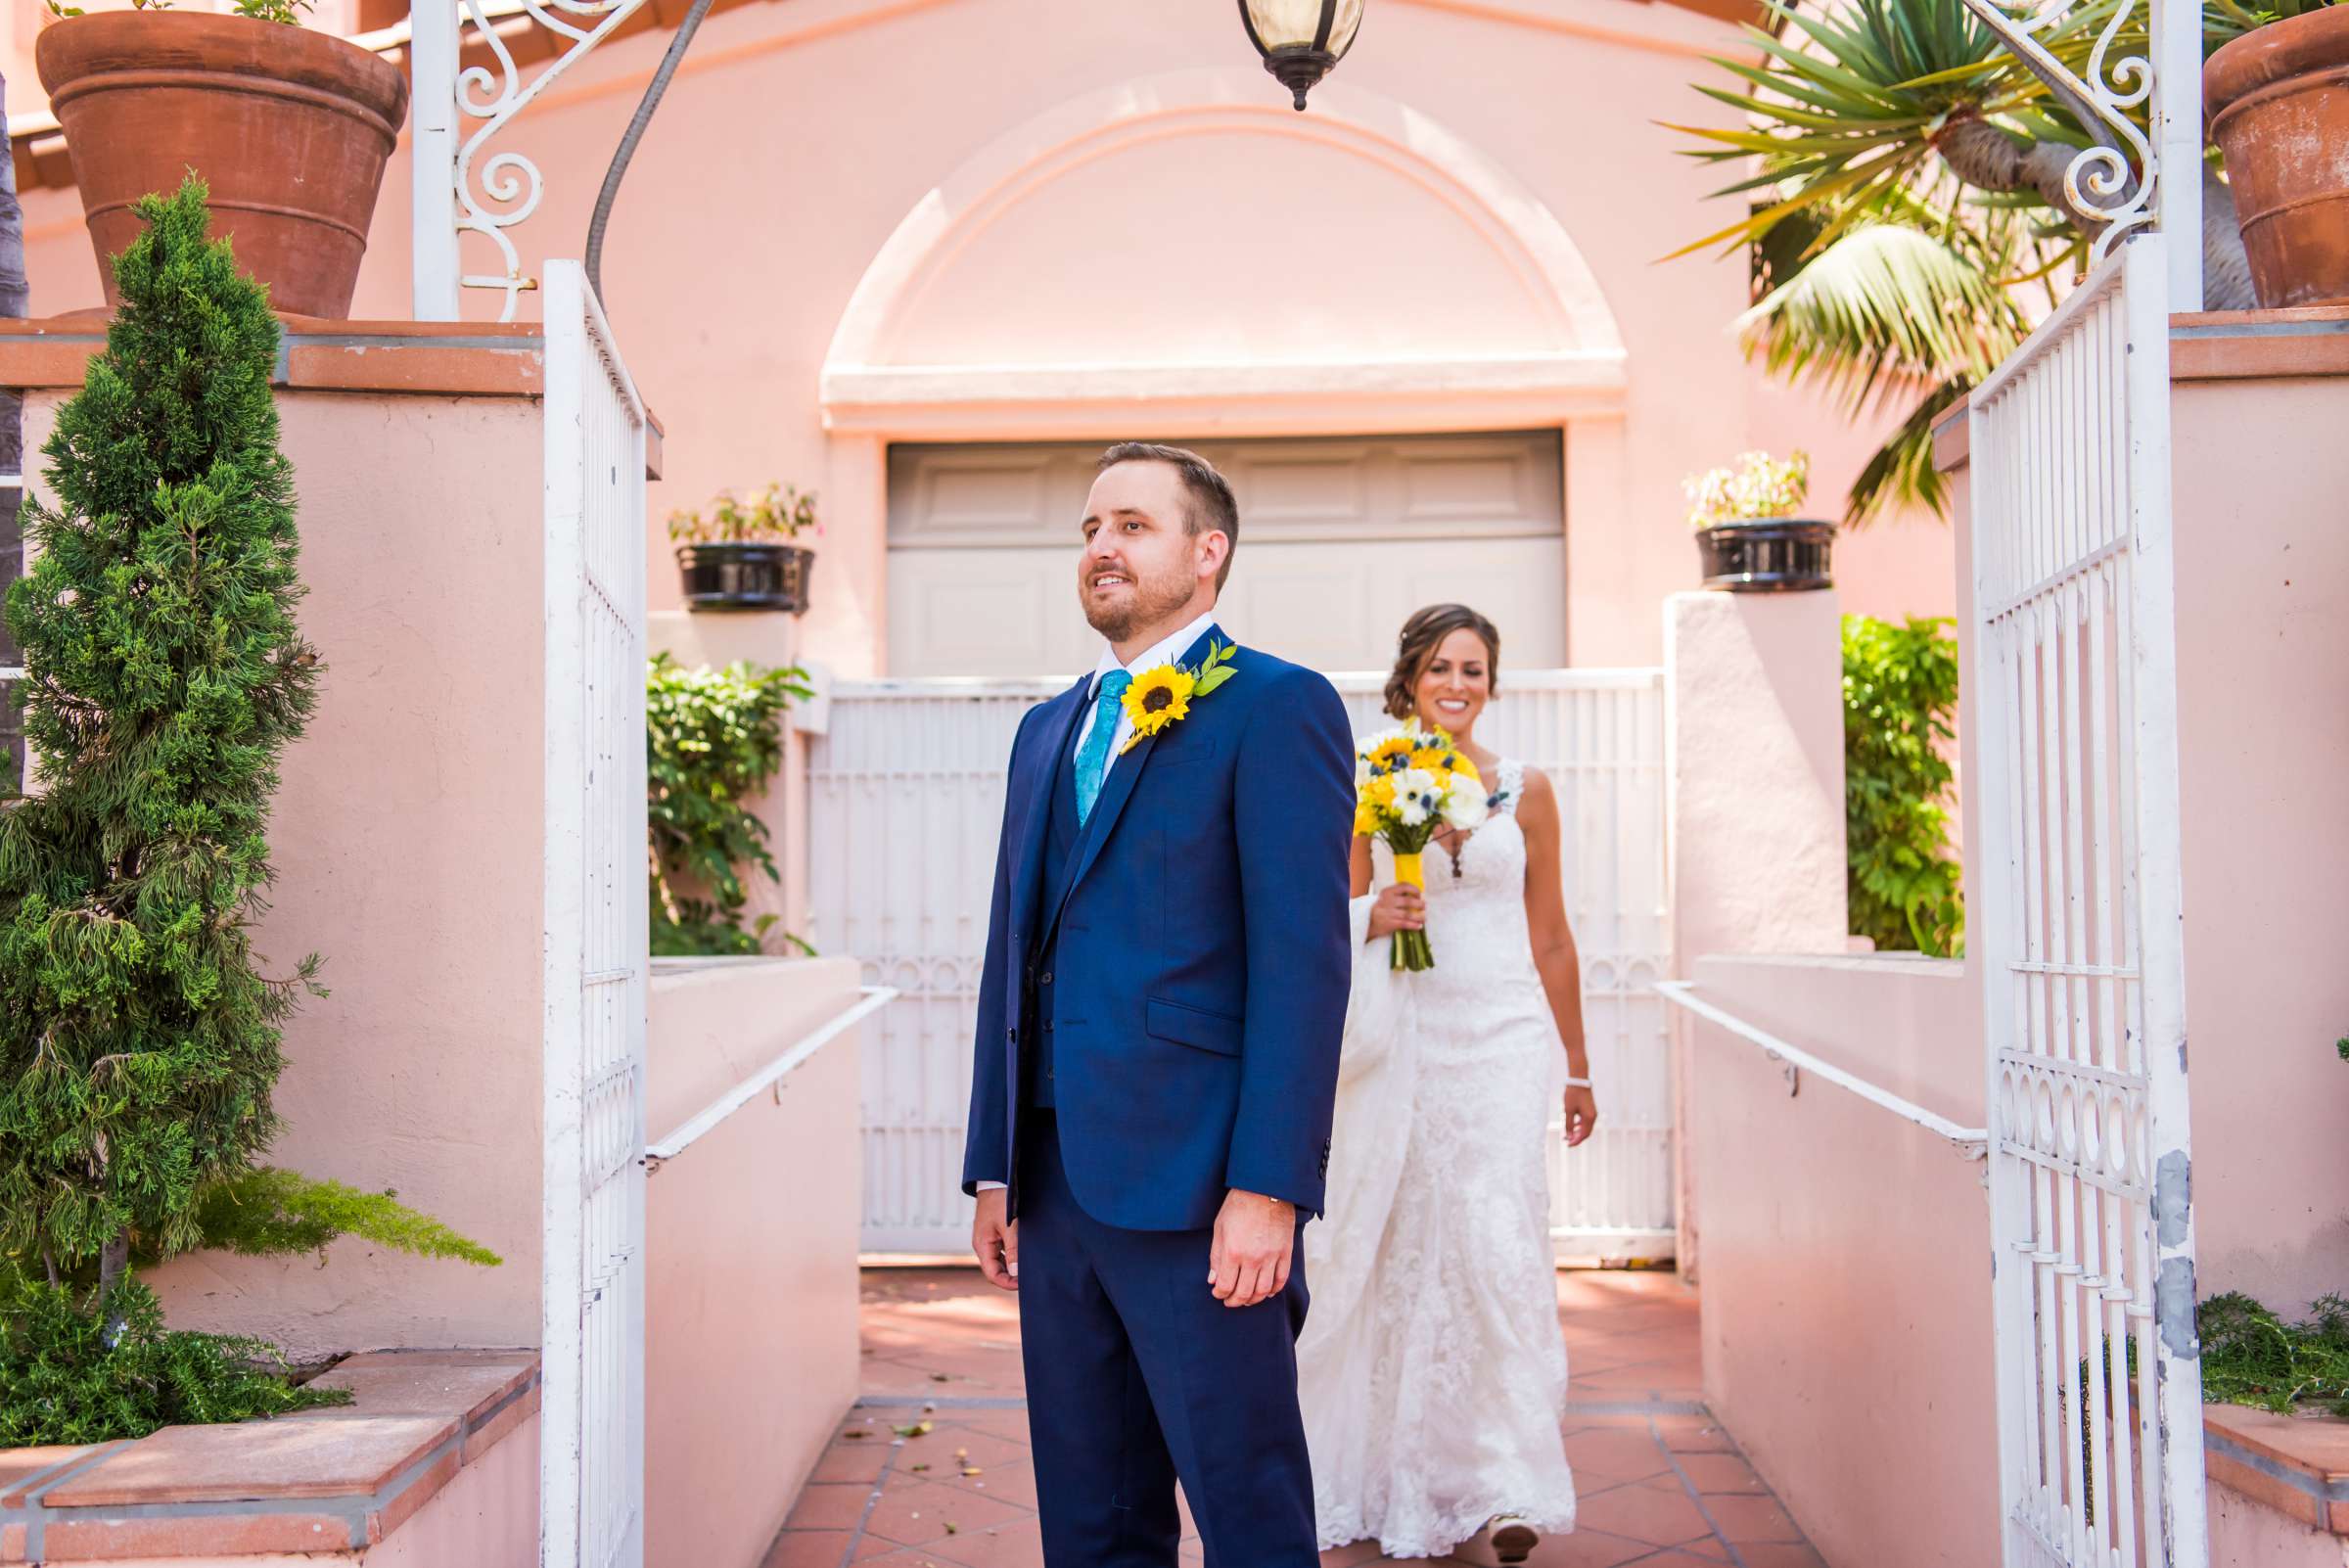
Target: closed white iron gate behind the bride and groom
{"points": [[906, 804]]}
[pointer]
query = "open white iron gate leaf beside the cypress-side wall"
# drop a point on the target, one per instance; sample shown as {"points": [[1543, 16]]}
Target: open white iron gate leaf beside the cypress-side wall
{"points": [[595, 945]]}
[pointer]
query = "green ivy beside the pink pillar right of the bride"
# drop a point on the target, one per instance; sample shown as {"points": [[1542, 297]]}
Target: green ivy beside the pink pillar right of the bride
{"points": [[1899, 708]]}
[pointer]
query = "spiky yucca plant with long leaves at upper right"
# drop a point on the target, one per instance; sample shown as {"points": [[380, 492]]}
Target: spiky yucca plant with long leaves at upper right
{"points": [[1864, 119]]}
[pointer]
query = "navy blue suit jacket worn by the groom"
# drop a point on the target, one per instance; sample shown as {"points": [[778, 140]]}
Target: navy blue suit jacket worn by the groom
{"points": [[1202, 954]]}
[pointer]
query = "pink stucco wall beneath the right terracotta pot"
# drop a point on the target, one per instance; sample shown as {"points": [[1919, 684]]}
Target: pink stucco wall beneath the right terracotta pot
{"points": [[2263, 712]]}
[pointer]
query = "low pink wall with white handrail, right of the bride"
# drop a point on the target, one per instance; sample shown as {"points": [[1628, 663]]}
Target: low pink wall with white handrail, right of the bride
{"points": [[1845, 1295]]}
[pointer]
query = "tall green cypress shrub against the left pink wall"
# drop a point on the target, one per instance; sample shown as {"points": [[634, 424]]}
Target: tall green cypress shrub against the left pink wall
{"points": [[140, 1032]]}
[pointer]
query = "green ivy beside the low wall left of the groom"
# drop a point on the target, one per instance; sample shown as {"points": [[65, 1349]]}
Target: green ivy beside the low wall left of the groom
{"points": [[713, 745]]}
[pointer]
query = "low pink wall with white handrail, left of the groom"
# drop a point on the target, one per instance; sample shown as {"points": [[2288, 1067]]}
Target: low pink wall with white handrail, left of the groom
{"points": [[751, 1255]]}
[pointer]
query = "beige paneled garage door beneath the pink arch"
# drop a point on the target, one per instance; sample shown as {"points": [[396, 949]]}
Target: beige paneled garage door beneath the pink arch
{"points": [[1340, 541]]}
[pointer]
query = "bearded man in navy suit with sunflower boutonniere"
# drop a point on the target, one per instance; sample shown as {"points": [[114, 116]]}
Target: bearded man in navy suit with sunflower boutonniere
{"points": [[1157, 1055]]}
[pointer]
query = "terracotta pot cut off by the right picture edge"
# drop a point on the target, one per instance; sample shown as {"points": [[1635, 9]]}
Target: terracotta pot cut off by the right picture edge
{"points": [[2280, 111]]}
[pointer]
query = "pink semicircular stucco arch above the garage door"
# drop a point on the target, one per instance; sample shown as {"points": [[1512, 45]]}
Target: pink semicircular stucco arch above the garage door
{"points": [[1192, 250]]}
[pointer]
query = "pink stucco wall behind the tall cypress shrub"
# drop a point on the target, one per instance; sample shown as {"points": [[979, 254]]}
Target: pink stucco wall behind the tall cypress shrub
{"points": [[408, 849]]}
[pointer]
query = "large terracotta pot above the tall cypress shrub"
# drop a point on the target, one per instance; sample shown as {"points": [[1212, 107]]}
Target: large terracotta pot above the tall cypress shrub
{"points": [[290, 128]]}
